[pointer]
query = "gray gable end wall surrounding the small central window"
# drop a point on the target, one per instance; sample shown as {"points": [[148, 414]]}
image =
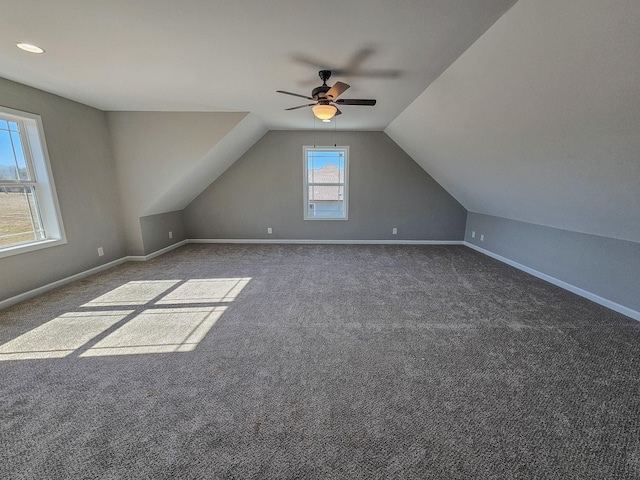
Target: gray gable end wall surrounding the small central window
{"points": [[386, 189]]}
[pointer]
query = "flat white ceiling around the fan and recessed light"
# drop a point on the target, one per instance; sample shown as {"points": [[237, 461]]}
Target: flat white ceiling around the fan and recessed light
{"points": [[230, 55]]}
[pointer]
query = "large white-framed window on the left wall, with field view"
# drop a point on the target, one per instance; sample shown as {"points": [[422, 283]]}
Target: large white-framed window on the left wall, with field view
{"points": [[29, 212]]}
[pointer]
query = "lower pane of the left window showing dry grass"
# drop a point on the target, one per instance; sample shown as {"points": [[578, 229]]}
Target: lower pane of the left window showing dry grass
{"points": [[19, 217]]}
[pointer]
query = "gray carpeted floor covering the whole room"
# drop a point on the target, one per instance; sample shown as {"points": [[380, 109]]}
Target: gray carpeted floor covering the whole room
{"points": [[309, 361]]}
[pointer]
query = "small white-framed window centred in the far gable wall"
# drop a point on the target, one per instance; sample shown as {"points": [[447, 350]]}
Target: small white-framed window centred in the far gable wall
{"points": [[326, 183]]}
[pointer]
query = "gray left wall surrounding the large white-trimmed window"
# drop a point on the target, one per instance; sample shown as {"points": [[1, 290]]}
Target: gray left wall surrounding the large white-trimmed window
{"points": [[83, 170]]}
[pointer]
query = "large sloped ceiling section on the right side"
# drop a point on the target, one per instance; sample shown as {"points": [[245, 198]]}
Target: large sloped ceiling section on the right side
{"points": [[539, 120]]}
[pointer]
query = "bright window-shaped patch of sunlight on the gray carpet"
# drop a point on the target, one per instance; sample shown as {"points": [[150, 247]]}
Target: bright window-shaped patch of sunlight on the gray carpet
{"points": [[138, 317]]}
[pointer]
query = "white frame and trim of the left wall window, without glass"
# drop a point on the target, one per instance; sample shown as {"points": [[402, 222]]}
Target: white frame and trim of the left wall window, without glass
{"points": [[37, 161]]}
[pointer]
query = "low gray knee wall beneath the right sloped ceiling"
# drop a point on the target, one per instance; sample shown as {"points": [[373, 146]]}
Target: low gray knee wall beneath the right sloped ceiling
{"points": [[604, 266]]}
